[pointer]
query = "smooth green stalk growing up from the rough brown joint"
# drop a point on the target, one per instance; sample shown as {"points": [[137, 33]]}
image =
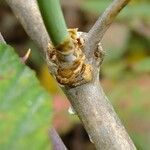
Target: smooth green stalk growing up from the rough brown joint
{"points": [[54, 21]]}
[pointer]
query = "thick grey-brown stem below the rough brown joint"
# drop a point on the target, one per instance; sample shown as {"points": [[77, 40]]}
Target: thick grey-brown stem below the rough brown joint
{"points": [[99, 118]]}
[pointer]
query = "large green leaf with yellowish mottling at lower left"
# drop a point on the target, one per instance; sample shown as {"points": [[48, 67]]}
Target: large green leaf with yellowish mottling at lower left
{"points": [[24, 105]]}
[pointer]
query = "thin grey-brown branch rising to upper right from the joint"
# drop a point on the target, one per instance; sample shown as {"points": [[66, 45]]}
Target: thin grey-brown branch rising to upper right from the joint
{"points": [[102, 24]]}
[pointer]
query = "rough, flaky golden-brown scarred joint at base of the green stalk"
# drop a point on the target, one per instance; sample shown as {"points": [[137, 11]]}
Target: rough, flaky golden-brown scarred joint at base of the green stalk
{"points": [[69, 72]]}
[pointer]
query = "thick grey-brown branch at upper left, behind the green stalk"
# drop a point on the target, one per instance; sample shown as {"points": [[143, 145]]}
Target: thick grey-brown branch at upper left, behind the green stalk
{"points": [[28, 14]]}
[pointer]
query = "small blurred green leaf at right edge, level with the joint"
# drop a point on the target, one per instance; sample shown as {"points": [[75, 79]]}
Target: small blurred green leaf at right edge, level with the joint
{"points": [[142, 65]]}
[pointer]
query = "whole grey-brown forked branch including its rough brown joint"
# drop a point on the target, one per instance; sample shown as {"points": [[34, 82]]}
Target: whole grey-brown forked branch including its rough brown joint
{"points": [[103, 127]]}
